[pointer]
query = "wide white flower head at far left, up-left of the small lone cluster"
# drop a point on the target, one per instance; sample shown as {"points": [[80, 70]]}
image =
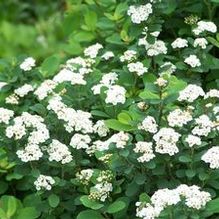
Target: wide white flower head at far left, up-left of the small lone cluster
{"points": [[31, 152]]}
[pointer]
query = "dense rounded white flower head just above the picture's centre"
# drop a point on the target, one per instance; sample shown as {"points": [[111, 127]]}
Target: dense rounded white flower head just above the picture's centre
{"points": [[115, 94]]}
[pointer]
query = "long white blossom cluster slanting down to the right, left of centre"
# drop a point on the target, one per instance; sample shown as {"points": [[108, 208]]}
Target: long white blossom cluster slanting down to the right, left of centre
{"points": [[77, 120]]}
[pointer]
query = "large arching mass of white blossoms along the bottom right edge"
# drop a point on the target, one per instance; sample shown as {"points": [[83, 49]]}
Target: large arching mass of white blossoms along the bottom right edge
{"points": [[192, 196]]}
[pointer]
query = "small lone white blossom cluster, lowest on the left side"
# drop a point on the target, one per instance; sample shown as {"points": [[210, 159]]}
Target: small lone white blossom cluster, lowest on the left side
{"points": [[44, 182]]}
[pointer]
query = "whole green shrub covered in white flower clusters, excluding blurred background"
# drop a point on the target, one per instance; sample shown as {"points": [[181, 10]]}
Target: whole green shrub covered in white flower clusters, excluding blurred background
{"points": [[116, 132]]}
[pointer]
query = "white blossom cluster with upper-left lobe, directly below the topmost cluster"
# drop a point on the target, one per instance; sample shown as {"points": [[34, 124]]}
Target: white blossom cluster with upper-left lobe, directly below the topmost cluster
{"points": [[157, 48]]}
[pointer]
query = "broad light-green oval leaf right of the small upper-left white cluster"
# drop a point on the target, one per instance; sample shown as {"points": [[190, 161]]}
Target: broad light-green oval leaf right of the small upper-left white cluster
{"points": [[50, 66]]}
